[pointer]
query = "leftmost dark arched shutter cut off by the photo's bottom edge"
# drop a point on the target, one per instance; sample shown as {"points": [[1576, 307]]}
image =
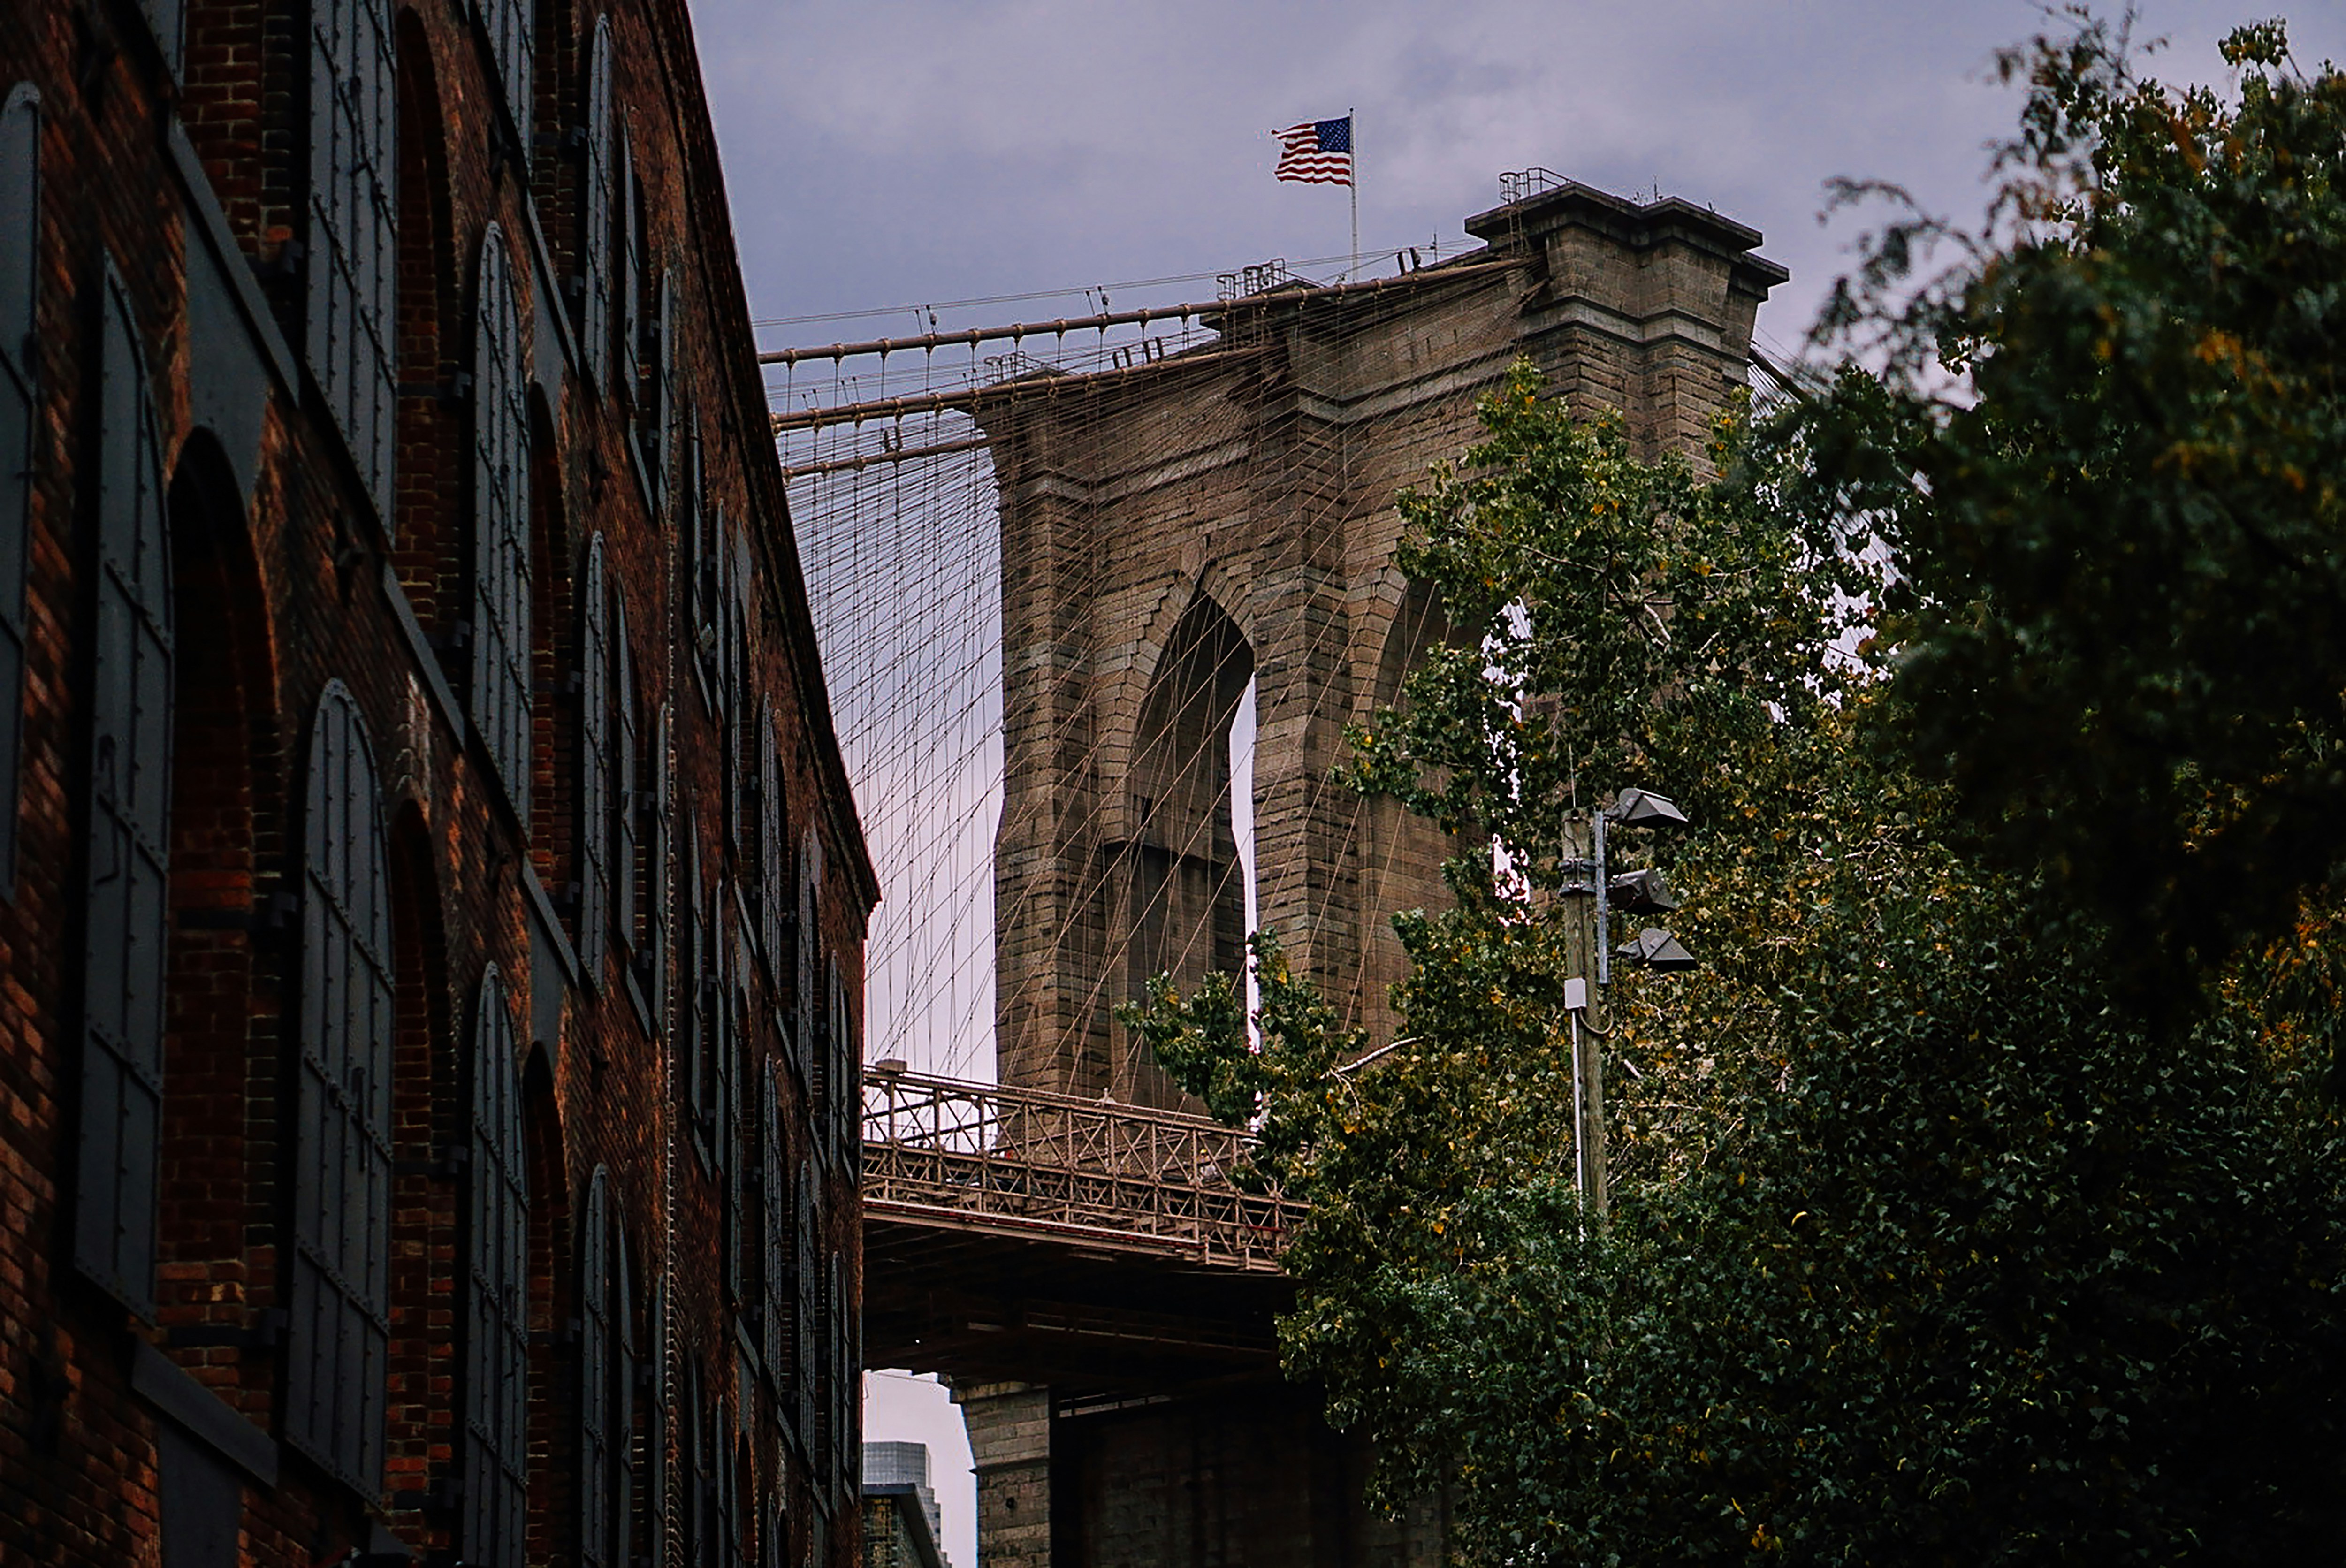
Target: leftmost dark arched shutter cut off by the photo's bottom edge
{"points": [[496, 1440]]}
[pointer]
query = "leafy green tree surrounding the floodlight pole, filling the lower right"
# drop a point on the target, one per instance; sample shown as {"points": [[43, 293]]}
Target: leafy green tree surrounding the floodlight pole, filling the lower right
{"points": [[1925, 1248]]}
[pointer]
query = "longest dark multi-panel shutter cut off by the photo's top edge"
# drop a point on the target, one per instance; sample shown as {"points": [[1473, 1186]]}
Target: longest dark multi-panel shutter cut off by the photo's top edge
{"points": [[353, 231]]}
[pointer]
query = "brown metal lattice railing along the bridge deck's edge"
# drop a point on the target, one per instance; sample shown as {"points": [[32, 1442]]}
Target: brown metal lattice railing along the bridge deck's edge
{"points": [[1057, 1163]]}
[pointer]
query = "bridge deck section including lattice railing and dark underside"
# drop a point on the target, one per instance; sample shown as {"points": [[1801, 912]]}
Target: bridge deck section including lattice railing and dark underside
{"points": [[1040, 1238]]}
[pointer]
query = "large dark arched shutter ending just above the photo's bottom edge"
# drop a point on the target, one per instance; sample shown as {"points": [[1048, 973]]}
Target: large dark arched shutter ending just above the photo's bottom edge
{"points": [[344, 1111]]}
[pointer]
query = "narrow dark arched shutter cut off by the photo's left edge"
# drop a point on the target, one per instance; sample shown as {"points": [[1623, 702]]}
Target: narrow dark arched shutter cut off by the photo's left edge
{"points": [[20, 313]]}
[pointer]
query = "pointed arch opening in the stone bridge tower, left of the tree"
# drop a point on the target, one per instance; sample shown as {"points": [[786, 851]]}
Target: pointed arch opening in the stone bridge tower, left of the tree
{"points": [[1184, 893]]}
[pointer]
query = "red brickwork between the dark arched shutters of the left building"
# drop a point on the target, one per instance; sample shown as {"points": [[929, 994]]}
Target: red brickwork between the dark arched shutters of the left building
{"points": [[280, 593]]}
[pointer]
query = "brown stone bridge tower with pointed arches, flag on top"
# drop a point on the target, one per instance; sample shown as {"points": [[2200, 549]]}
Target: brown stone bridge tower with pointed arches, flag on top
{"points": [[1174, 532]]}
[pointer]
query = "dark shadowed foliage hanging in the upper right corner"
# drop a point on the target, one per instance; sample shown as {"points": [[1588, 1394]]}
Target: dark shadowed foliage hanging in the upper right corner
{"points": [[2108, 454]]}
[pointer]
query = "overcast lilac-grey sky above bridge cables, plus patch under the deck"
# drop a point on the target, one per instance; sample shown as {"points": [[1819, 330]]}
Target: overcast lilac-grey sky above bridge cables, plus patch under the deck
{"points": [[895, 154]]}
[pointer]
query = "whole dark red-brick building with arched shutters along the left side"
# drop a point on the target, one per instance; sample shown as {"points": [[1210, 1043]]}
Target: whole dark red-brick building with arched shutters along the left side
{"points": [[430, 898]]}
